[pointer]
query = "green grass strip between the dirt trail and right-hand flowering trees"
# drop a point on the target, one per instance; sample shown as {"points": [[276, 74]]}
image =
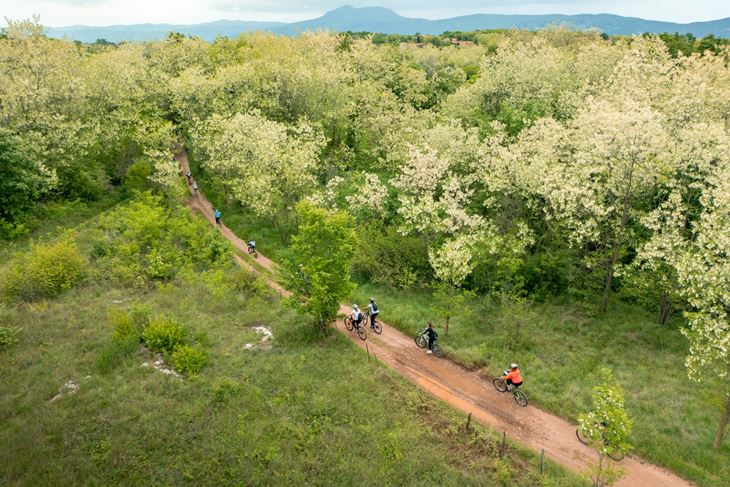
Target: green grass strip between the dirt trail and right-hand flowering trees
{"points": [[561, 350]]}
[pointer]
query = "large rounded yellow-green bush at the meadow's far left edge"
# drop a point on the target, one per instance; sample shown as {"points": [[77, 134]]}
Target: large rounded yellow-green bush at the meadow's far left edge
{"points": [[44, 272]]}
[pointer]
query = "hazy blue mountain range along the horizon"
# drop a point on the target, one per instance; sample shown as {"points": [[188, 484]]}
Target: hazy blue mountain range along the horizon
{"points": [[386, 21]]}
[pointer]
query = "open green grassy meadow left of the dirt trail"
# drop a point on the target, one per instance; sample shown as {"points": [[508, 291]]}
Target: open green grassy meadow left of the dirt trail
{"points": [[305, 411]]}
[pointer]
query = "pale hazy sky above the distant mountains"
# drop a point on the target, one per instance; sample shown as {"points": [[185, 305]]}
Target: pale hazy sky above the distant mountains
{"points": [[105, 12]]}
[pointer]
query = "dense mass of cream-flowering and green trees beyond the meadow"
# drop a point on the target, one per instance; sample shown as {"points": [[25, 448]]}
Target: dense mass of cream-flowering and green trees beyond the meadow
{"points": [[525, 166]]}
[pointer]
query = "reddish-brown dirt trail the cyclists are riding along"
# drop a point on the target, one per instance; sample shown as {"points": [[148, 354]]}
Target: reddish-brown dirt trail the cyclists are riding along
{"points": [[469, 391]]}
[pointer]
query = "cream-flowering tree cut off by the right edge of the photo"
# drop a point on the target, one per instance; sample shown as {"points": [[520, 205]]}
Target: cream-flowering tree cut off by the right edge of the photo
{"points": [[691, 235]]}
